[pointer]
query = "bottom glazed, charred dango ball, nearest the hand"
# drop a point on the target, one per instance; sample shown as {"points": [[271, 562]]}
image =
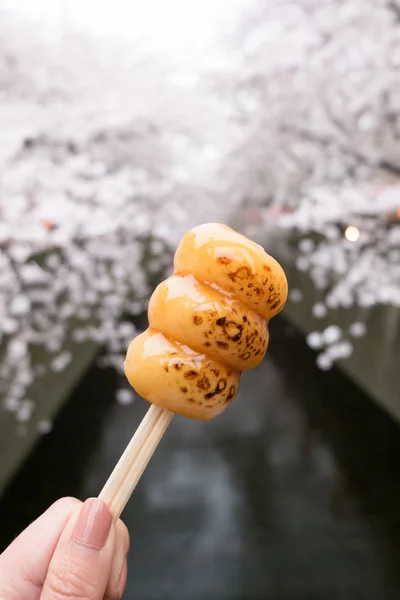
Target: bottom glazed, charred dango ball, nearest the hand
{"points": [[176, 378]]}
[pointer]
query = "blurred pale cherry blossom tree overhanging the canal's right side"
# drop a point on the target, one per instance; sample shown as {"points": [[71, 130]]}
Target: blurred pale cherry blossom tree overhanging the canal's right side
{"points": [[315, 90]]}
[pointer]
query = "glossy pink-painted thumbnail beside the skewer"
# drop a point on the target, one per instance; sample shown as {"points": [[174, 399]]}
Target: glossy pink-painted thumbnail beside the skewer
{"points": [[93, 524]]}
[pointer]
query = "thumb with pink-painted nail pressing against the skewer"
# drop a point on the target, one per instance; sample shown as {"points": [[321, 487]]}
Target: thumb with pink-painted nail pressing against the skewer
{"points": [[81, 563]]}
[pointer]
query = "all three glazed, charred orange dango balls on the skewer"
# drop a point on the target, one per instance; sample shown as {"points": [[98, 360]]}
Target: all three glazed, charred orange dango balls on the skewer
{"points": [[207, 323]]}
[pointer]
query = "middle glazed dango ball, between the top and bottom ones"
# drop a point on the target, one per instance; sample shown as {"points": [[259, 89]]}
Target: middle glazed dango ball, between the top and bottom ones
{"points": [[209, 322]]}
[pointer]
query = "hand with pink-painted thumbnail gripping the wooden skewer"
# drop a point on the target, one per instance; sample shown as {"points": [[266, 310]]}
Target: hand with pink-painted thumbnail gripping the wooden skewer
{"points": [[73, 550]]}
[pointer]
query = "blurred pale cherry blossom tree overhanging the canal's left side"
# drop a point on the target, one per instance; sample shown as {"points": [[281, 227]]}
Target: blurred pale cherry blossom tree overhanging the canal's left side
{"points": [[103, 169]]}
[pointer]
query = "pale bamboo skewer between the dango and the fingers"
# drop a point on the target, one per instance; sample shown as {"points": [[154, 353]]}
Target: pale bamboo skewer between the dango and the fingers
{"points": [[135, 459]]}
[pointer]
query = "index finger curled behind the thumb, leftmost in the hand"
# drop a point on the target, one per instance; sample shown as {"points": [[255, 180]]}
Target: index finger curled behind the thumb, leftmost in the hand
{"points": [[24, 564]]}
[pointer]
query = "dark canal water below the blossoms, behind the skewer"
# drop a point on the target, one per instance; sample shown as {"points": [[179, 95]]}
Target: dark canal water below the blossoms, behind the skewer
{"points": [[294, 493]]}
